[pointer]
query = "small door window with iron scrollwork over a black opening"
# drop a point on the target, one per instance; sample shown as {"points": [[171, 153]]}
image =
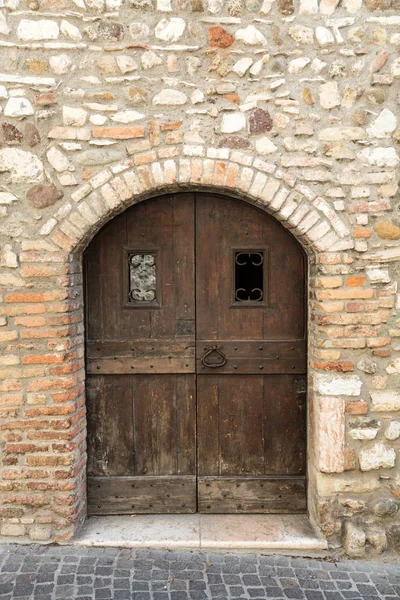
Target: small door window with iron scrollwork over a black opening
{"points": [[249, 276]]}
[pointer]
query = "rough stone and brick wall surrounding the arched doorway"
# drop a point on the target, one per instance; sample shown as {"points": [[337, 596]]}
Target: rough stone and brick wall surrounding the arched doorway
{"points": [[290, 104]]}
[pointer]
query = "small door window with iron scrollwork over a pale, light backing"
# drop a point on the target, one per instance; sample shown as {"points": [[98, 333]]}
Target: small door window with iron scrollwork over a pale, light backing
{"points": [[142, 278]]}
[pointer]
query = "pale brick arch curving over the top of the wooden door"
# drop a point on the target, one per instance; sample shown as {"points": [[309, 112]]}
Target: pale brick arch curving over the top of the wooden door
{"points": [[311, 218]]}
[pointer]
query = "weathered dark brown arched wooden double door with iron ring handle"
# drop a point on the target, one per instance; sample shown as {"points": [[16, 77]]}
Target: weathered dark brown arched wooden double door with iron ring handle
{"points": [[196, 360]]}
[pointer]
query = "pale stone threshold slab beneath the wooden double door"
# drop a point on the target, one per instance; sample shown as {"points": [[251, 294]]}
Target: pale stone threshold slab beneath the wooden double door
{"points": [[261, 532]]}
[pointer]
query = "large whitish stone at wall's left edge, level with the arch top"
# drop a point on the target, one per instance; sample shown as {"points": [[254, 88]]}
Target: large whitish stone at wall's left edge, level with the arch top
{"points": [[24, 166]]}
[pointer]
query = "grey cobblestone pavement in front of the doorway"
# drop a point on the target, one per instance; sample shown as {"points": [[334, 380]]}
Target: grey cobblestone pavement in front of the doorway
{"points": [[50, 573]]}
